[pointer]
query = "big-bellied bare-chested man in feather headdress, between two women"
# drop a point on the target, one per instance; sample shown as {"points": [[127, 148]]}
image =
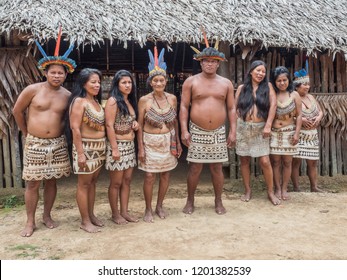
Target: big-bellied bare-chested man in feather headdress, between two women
{"points": [[211, 98]]}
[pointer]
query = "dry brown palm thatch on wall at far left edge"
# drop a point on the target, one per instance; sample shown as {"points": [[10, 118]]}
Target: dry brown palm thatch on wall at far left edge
{"points": [[17, 70]]}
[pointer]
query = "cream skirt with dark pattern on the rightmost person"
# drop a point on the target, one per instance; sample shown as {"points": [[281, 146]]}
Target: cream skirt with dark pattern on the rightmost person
{"points": [[308, 144]]}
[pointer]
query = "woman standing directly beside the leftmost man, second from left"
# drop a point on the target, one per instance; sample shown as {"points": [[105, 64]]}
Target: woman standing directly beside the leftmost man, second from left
{"points": [[87, 122]]}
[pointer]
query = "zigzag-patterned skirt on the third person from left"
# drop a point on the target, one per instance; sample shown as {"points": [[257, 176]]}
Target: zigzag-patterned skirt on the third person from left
{"points": [[127, 159]]}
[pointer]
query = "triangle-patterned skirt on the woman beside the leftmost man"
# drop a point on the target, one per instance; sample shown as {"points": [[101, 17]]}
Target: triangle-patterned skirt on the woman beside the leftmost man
{"points": [[94, 150]]}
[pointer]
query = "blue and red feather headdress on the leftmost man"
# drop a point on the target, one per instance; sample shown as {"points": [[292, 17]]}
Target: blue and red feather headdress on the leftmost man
{"points": [[68, 63]]}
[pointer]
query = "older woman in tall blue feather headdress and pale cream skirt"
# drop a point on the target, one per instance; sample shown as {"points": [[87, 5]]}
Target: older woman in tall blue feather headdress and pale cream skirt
{"points": [[158, 141]]}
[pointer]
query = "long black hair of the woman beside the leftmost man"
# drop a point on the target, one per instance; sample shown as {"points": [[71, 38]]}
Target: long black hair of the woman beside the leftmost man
{"points": [[78, 90]]}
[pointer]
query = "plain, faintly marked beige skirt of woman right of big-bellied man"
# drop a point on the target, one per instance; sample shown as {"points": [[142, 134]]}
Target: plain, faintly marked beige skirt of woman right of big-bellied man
{"points": [[249, 139]]}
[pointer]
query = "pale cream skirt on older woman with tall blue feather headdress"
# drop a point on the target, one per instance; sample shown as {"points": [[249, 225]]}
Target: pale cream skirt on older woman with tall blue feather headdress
{"points": [[158, 157]]}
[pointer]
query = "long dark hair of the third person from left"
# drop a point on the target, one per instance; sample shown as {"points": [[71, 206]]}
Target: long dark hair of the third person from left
{"points": [[116, 93]]}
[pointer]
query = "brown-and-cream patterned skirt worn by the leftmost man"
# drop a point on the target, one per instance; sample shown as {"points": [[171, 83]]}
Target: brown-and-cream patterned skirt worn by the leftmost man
{"points": [[45, 159]]}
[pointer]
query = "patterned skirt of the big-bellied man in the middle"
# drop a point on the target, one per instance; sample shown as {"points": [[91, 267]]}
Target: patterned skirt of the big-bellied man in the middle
{"points": [[207, 146]]}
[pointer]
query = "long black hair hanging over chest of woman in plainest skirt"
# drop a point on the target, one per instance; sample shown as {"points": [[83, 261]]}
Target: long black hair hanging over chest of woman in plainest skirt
{"points": [[246, 99]]}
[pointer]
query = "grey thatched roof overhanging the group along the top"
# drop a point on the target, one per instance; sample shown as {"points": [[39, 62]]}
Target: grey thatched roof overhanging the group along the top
{"points": [[309, 25]]}
